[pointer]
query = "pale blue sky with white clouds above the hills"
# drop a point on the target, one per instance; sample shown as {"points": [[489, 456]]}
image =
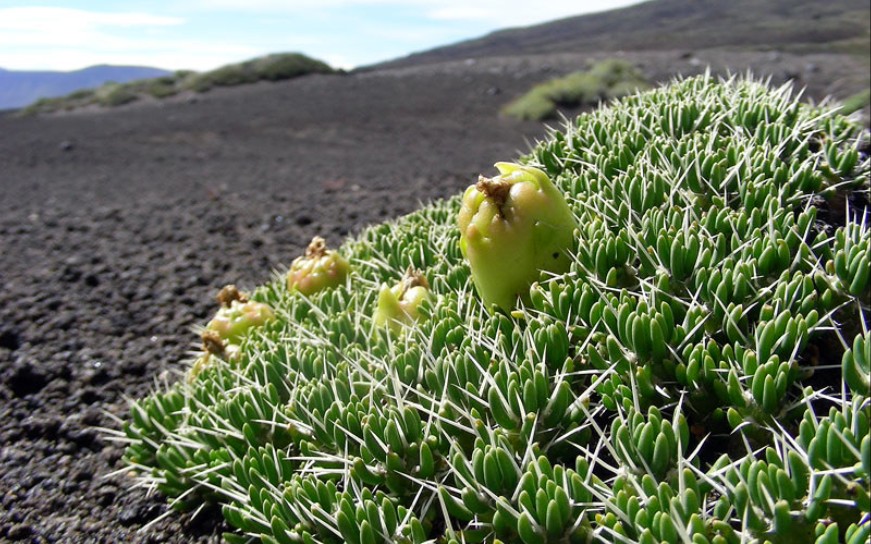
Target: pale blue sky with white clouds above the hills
{"points": [[205, 34]]}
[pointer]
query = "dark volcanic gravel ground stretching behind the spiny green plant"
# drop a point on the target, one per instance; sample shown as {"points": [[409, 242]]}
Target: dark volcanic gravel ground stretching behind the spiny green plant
{"points": [[118, 227]]}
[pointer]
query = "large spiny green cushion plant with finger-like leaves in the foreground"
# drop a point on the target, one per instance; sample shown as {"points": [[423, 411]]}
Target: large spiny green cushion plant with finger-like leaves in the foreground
{"points": [[699, 372]]}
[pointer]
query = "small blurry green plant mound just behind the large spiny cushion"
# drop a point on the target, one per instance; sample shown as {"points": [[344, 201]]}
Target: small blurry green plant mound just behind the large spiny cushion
{"points": [[604, 80]]}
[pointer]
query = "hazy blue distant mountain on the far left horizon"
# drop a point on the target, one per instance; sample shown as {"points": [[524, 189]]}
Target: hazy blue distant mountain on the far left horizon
{"points": [[19, 88]]}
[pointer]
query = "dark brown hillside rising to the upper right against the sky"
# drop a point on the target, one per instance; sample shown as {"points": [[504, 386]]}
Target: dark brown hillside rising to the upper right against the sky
{"points": [[787, 25]]}
